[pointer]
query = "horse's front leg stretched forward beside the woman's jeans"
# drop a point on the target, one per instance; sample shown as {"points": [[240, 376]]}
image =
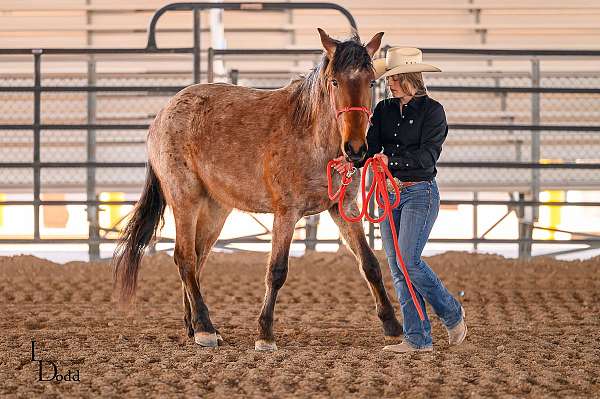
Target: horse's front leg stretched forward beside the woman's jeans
{"points": [[354, 236]]}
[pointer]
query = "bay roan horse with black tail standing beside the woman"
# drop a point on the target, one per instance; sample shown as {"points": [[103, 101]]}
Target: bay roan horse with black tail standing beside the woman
{"points": [[215, 147]]}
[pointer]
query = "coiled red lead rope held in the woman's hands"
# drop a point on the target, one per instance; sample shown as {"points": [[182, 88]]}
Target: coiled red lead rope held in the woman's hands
{"points": [[380, 173]]}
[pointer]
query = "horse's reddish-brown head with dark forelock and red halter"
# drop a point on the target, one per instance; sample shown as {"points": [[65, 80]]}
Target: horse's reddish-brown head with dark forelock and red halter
{"points": [[349, 78]]}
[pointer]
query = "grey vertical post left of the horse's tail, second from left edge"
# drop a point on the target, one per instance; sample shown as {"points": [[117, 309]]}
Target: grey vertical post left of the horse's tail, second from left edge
{"points": [[92, 210]]}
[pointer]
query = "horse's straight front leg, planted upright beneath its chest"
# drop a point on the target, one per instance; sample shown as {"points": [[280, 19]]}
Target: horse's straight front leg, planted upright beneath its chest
{"points": [[283, 230]]}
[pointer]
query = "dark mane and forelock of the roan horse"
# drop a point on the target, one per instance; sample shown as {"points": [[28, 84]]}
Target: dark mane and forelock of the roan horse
{"points": [[312, 89]]}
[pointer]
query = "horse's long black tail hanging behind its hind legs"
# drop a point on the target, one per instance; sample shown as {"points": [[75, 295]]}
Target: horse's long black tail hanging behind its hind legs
{"points": [[145, 221]]}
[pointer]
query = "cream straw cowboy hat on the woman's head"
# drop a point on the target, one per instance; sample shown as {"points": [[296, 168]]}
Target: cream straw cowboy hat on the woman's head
{"points": [[401, 60]]}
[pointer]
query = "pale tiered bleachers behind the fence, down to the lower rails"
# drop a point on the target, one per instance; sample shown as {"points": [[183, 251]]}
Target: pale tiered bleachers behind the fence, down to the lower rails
{"points": [[536, 24]]}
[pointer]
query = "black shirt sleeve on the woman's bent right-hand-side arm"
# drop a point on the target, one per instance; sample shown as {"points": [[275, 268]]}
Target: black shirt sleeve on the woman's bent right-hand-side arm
{"points": [[434, 132]]}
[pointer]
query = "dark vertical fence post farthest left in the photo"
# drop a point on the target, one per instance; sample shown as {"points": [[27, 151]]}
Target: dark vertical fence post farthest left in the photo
{"points": [[37, 78]]}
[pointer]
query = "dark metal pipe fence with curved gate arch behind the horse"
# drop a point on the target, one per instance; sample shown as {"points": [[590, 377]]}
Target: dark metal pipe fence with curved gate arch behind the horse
{"points": [[526, 206]]}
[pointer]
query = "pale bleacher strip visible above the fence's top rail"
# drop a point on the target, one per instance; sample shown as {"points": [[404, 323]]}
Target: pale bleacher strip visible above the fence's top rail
{"points": [[109, 23]]}
